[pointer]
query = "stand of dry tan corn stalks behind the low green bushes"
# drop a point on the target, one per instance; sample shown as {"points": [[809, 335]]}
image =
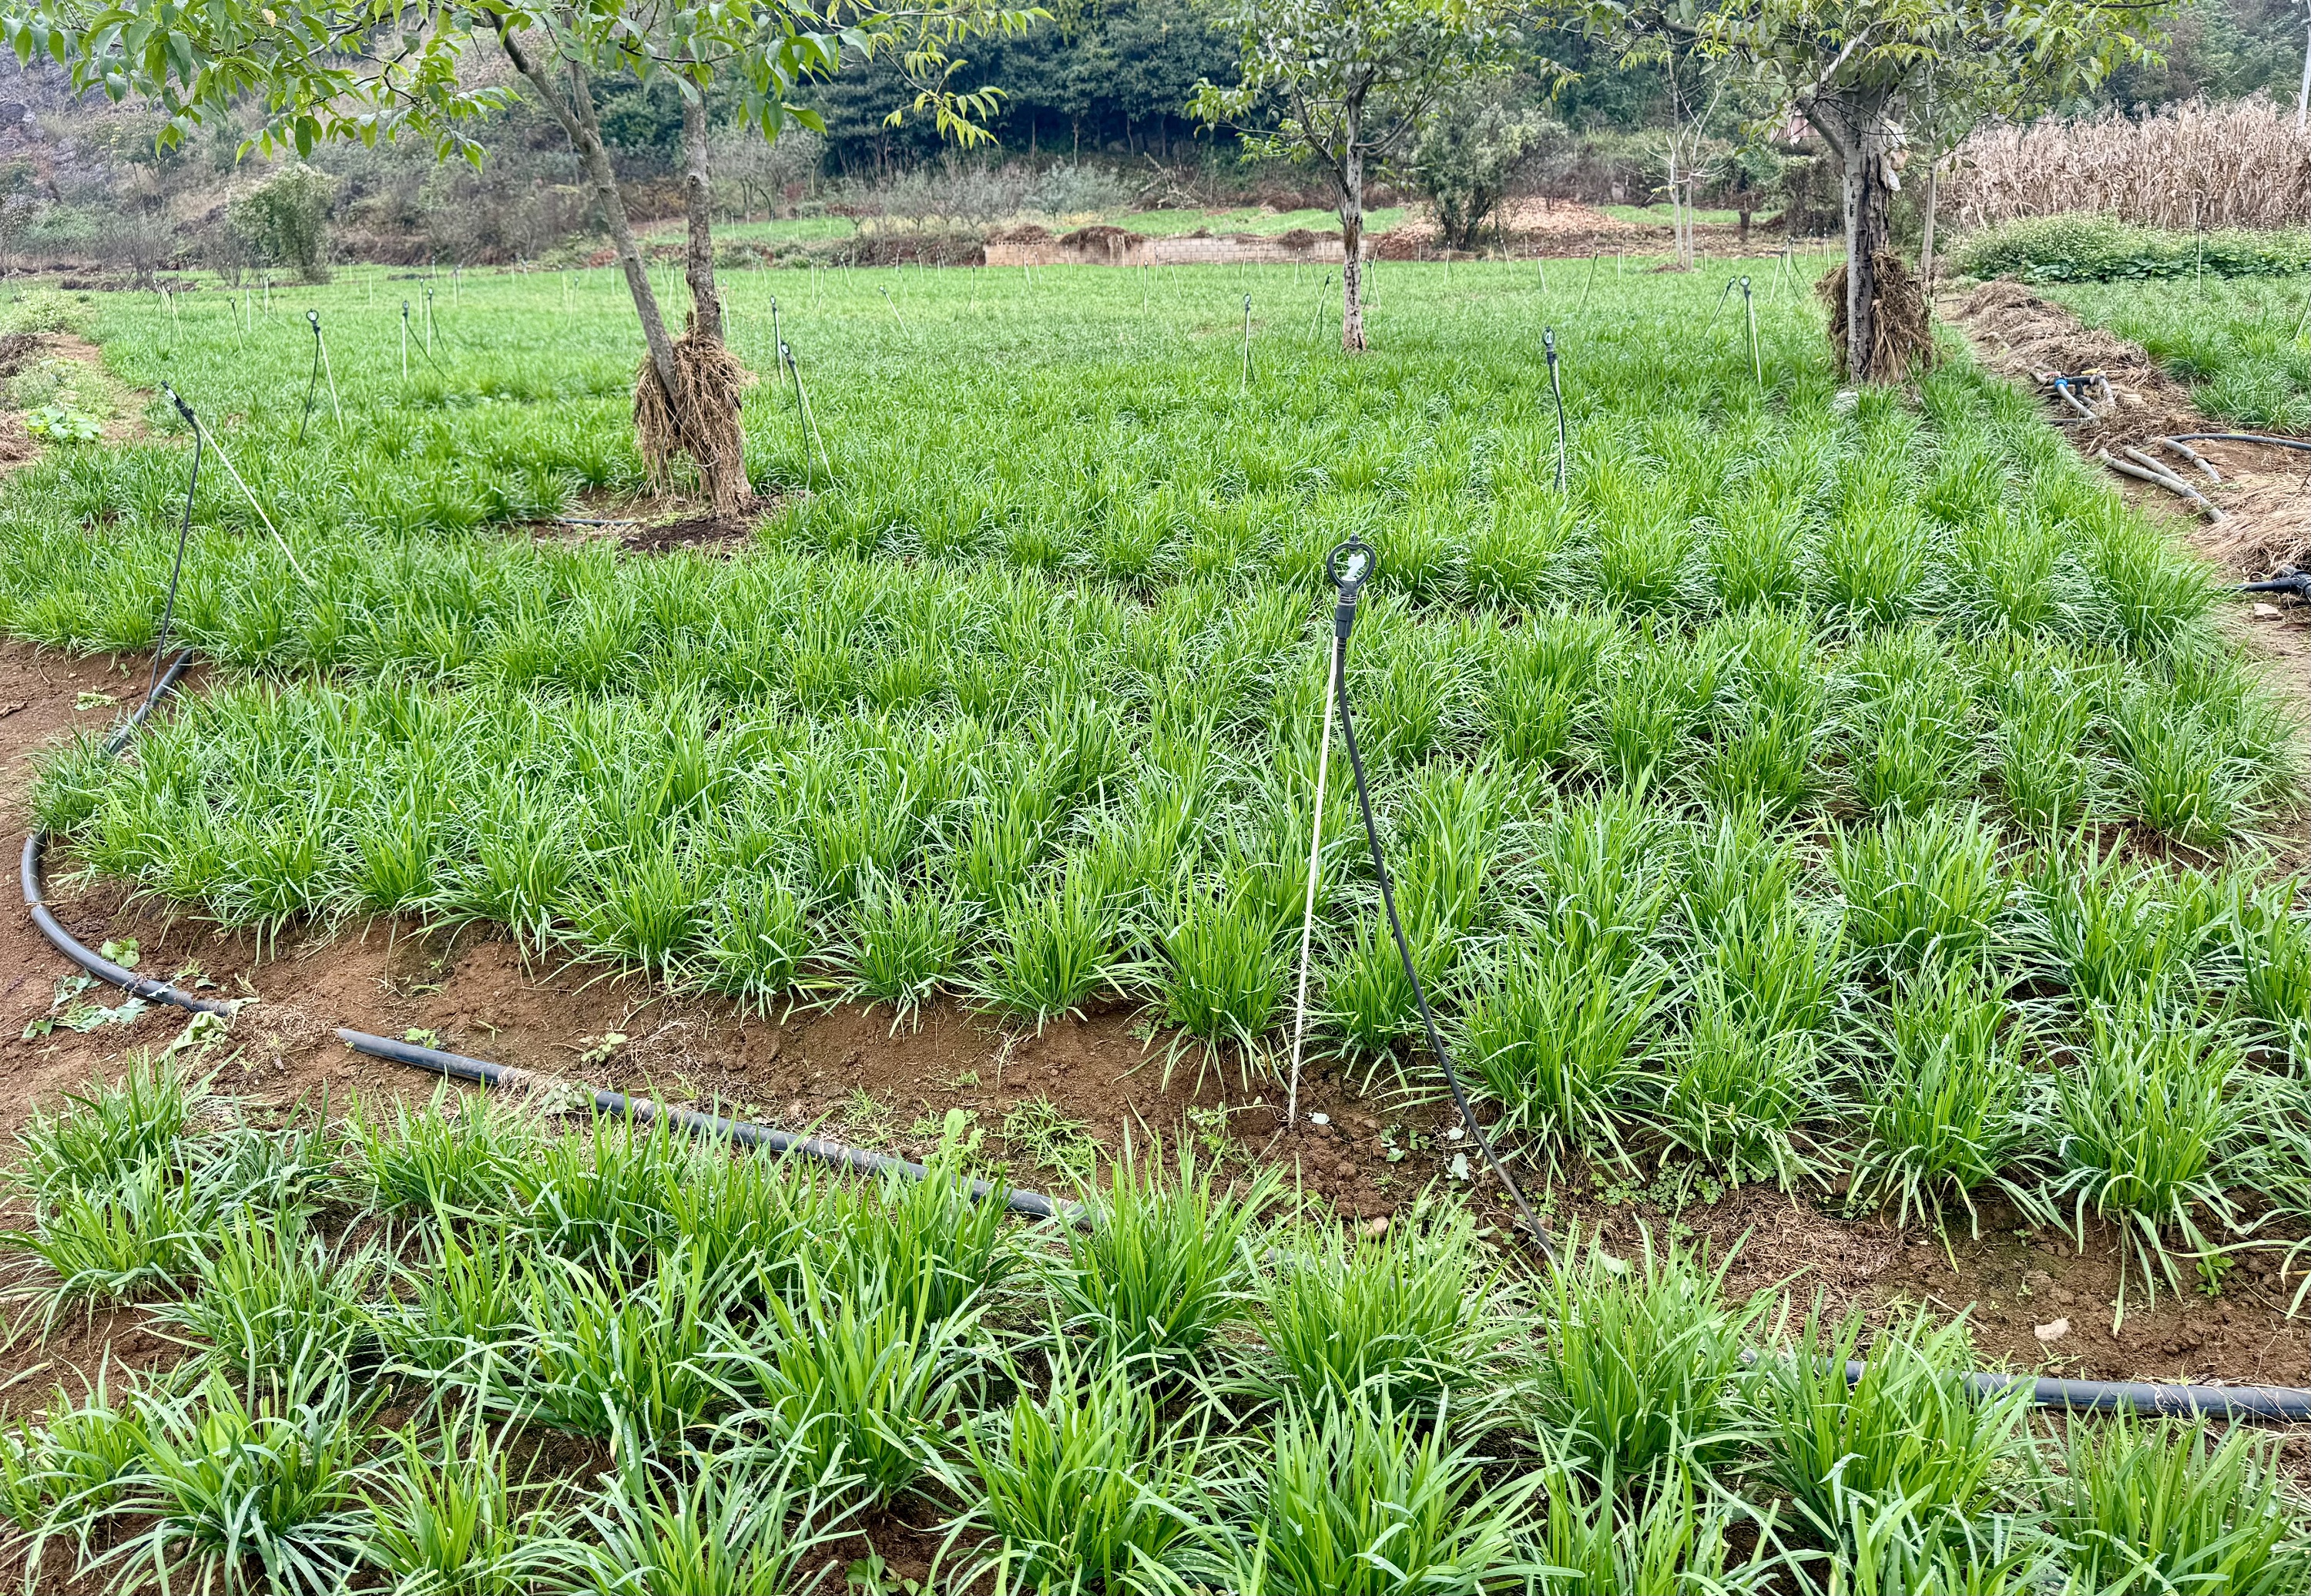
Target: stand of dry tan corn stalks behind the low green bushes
{"points": [[2243, 165]]}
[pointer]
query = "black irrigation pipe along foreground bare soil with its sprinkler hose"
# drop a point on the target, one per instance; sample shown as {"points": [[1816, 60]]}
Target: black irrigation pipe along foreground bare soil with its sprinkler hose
{"points": [[2083, 1396]]}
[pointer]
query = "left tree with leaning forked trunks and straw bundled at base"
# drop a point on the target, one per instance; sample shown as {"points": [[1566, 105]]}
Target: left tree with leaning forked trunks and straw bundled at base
{"points": [[369, 70]]}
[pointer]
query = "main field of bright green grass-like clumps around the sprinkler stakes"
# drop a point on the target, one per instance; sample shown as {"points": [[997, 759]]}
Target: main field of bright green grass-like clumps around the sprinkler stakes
{"points": [[1794, 789]]}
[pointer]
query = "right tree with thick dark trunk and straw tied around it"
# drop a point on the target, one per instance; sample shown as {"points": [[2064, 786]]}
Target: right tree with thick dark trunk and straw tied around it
{"points": [[1859, 70]]}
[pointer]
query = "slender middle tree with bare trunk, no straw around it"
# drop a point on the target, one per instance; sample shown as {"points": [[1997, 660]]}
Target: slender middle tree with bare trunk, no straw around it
{"points": [[1348, 84]]}
